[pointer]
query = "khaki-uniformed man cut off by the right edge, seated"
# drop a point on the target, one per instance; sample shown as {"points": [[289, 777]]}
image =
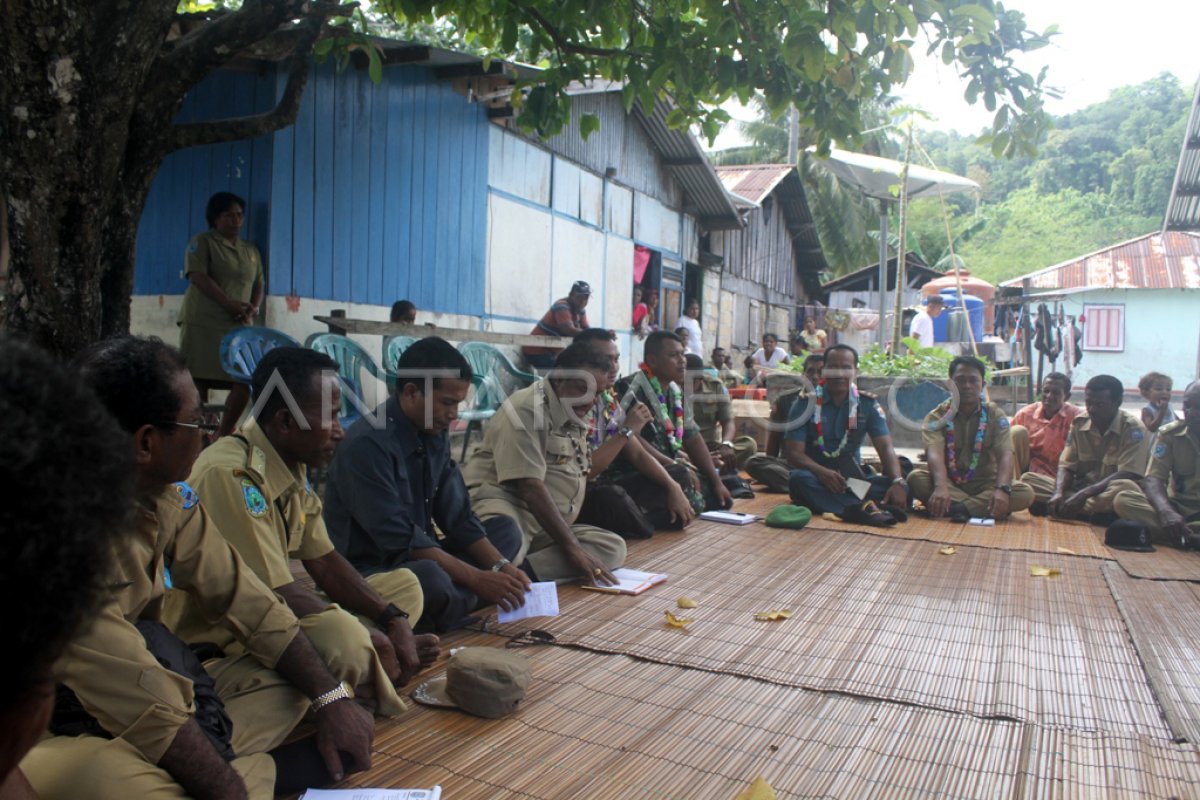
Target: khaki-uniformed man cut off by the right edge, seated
{"points": [[1169, 502]]}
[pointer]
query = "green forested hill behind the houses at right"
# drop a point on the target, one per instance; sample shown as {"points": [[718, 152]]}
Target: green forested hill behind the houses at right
{"points": [[1103, 176]]}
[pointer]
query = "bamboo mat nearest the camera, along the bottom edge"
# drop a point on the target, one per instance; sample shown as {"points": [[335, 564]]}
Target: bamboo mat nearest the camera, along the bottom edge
{"points": [[598, 726]]}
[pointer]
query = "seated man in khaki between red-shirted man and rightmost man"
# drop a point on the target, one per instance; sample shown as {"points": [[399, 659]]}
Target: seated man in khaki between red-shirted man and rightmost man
{"points": [[1107, 454]]}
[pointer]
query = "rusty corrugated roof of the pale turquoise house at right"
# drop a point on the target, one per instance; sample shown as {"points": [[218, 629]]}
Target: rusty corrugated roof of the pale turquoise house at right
{"points": [[1169, 261]]}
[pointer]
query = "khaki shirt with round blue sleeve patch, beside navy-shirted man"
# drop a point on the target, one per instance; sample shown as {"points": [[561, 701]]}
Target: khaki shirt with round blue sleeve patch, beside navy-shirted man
{"points": [[267, 512]]}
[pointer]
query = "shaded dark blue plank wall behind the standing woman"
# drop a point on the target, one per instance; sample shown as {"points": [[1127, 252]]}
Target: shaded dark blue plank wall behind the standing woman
{"points": [[175, 210]]}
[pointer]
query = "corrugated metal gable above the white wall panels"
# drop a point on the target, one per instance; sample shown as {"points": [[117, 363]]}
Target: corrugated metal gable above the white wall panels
{"points": [[621, 143]]}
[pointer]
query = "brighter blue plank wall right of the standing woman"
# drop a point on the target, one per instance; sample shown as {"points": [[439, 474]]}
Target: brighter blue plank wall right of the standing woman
{"points": [[380, 193]]}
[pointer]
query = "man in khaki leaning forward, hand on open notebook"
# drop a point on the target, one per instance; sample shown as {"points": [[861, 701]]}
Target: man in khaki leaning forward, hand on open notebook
{"points": [[533, 467]]}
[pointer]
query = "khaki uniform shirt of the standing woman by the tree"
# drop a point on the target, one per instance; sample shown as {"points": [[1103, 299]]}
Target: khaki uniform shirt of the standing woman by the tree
{"points": [[235, 266]]}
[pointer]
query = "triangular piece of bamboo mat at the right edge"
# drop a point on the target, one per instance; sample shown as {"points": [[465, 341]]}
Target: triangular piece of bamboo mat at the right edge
{"points": [[1165, 622]]}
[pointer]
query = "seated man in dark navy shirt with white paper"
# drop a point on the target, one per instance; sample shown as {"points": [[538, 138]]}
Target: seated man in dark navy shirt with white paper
{"points": [[393, 479]]}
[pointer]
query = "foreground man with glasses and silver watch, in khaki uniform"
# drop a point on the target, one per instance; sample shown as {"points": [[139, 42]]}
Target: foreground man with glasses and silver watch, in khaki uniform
{"points": [[212, 731]]}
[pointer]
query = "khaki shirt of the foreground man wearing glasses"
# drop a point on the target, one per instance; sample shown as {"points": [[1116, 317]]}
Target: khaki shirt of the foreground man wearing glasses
{"points": [[117, 679]]}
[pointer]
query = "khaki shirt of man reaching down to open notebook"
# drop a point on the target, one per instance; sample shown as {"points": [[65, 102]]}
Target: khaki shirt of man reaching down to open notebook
{"points": [[532, 436]]}
